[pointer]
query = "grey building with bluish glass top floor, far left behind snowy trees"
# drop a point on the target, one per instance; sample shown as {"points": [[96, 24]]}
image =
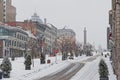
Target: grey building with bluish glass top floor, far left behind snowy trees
{"points": [[12, 41]]}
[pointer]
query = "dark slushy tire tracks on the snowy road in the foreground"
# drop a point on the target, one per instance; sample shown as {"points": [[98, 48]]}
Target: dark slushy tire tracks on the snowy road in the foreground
{"points": [[64, 74]]}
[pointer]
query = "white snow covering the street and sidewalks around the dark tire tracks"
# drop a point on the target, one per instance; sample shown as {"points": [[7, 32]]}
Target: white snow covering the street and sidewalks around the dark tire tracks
{"points": [[87, 72]]}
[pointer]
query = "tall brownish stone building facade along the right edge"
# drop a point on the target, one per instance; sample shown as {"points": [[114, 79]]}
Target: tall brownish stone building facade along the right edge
{"points": [[114, 21]]}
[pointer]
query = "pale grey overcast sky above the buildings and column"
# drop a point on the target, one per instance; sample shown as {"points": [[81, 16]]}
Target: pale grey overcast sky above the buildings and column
{"points": [[76, 14]]}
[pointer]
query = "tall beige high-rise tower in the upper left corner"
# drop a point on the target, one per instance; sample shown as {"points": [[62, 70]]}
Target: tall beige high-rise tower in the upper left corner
{"points": [[7, 11]]}
